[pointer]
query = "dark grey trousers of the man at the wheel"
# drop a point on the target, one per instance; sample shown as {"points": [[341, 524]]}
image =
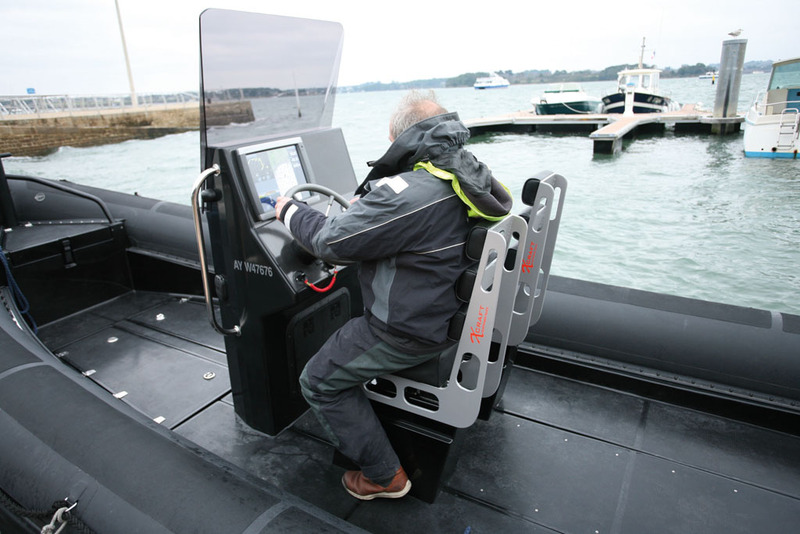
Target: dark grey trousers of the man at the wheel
{"points": [[331, 383]]}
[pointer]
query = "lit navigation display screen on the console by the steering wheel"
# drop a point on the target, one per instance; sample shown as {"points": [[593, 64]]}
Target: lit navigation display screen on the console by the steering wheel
{"points": [[271, 170]]}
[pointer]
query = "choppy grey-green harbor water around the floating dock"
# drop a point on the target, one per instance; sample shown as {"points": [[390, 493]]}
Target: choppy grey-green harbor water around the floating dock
{"points": [[683, 214]]}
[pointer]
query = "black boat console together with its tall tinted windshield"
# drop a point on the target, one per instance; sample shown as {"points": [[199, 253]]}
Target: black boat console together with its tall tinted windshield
{"points": [[266, 114]]}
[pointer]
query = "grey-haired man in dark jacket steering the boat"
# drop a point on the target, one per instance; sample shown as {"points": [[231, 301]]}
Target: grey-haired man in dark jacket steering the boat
{"points": [[407, 232]]}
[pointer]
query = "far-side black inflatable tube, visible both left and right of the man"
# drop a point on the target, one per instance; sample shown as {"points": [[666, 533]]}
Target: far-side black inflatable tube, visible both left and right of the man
{"points": [[755, 350]]}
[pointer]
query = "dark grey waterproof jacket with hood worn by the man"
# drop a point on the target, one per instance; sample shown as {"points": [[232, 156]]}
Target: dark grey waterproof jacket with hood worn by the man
{"points": [[408, 230]]}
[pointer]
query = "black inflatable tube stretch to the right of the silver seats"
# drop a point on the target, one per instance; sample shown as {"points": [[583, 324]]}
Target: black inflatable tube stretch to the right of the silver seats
{"points": [[753, 350]]}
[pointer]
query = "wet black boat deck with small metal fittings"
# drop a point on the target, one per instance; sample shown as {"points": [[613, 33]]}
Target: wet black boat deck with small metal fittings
{"points": [[563, 453]]}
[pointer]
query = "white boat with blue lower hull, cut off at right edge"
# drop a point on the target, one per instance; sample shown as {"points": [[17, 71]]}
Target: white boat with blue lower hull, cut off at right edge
{"points": [[772, 122]]}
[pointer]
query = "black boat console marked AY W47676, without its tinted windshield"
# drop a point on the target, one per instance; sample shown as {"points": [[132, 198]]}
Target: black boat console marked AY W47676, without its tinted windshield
{"points": [[263, 282]]}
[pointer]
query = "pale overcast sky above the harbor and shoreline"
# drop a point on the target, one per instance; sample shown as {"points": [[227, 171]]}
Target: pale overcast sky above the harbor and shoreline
{"points": [[74, 46]]}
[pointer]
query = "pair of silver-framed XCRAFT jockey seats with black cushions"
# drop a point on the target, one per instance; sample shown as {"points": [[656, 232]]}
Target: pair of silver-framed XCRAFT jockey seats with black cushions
{"points": [[503, 297]]}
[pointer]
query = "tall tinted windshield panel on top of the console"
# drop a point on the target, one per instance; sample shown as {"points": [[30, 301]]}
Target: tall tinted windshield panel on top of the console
{"points": [[265, 75]]}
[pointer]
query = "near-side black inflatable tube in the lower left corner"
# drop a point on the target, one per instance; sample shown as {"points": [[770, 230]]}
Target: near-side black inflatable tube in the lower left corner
{"points": [[64, 438]]}
